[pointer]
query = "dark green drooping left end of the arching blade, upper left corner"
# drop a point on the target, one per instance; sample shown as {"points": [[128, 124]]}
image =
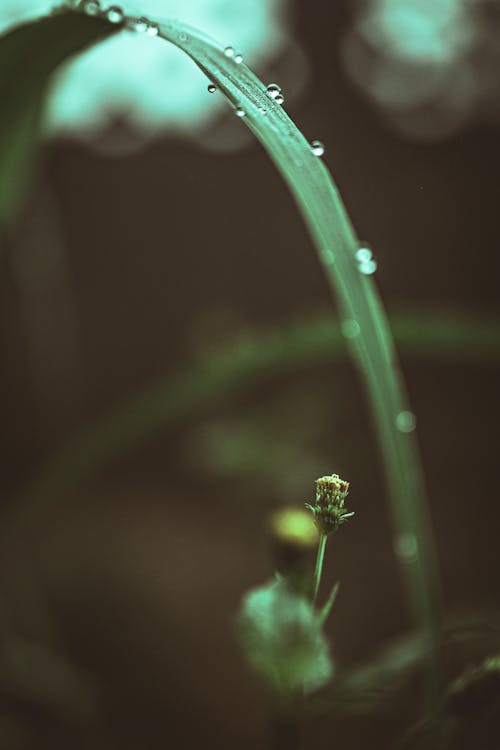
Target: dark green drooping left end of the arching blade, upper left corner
{"points": [[29, 54]]}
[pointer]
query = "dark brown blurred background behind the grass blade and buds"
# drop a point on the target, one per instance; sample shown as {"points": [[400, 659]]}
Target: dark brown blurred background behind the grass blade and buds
{"points": [[119, 594]]}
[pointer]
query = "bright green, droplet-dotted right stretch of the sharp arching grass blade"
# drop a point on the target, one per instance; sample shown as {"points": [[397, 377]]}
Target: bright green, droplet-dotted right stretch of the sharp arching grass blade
{"points": [[326, 218]]}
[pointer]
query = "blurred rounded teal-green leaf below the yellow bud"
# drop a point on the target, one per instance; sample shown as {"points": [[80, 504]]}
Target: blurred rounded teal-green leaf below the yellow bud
{"points": [[282, 639]]}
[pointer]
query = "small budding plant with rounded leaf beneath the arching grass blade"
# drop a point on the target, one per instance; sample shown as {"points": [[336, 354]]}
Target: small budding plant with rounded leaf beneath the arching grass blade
{"points": [[279, 626]]}
